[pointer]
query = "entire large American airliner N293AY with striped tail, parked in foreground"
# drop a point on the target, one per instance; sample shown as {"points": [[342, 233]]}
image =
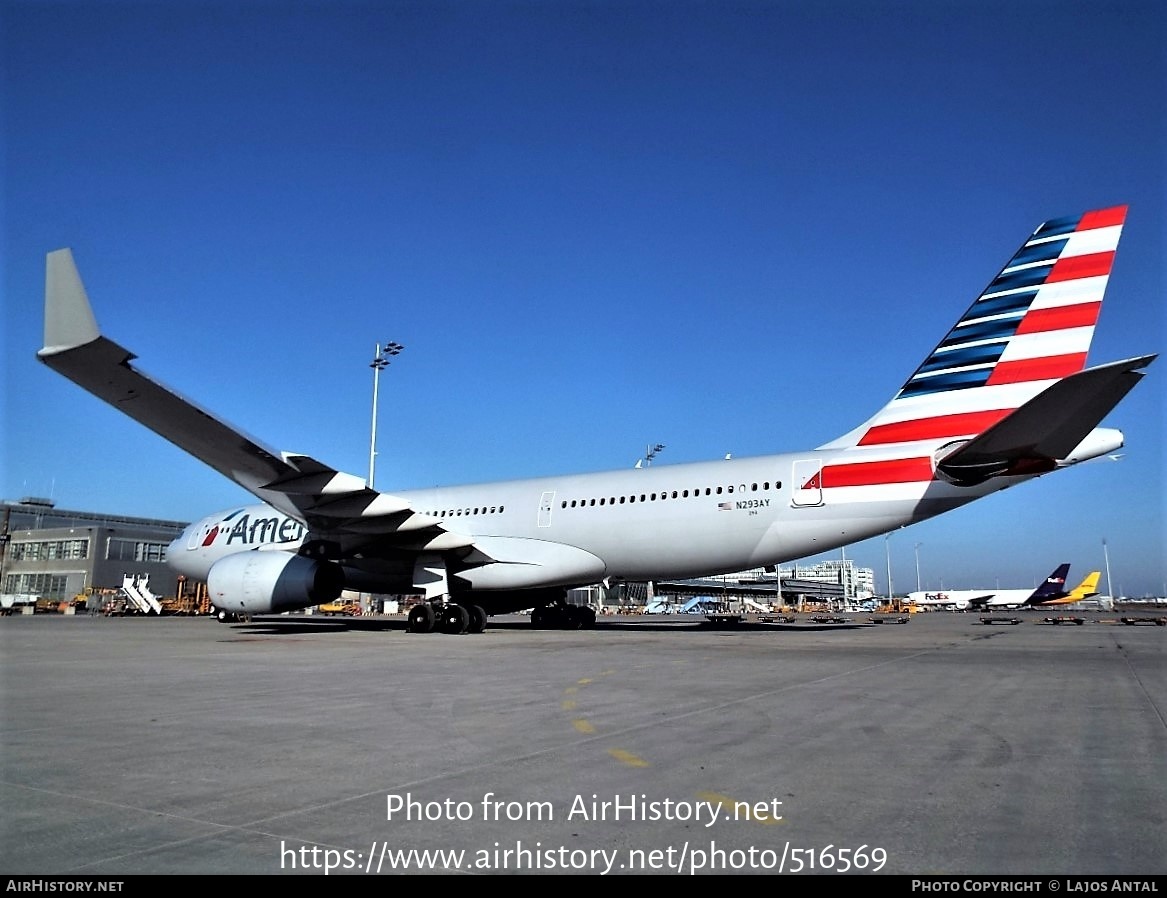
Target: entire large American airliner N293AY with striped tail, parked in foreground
{"points": [[1004, 399]]}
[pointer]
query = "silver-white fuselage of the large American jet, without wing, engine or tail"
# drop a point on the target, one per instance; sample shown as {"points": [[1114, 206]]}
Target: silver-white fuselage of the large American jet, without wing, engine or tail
{"points": [[668, 521]]}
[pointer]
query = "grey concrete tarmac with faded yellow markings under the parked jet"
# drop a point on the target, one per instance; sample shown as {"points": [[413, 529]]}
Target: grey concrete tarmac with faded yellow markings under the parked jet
{"points": [[647, 746]]}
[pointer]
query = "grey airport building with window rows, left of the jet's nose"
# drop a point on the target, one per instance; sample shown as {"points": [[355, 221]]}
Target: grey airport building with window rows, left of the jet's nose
{"points": [[57, 554]]}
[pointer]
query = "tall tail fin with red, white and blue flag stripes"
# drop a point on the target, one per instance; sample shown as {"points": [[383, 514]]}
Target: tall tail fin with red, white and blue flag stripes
{"points": [[1031, 328]]}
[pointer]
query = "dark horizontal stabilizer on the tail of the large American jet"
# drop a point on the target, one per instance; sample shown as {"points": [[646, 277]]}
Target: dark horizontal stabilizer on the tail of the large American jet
{"points": [[1046, 429]]}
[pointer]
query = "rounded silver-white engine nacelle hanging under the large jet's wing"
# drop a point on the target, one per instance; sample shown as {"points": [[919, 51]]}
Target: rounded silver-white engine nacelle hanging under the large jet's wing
{"points": [[263, 583]]}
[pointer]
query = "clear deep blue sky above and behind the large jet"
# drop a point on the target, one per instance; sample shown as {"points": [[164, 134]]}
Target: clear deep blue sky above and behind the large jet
{"points": [[729, 228]]}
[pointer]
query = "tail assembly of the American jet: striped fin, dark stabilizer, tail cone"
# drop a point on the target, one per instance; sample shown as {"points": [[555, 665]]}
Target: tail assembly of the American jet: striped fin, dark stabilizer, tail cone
{"points": [[1007, 392]]}
